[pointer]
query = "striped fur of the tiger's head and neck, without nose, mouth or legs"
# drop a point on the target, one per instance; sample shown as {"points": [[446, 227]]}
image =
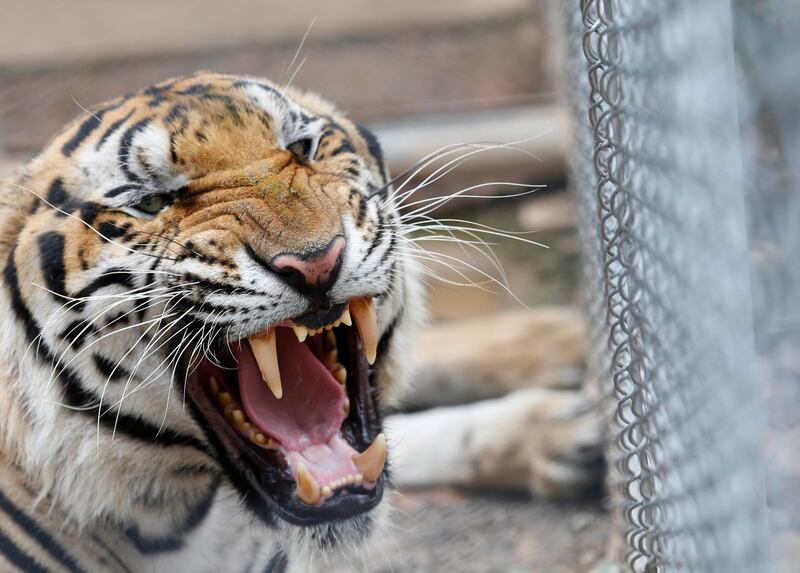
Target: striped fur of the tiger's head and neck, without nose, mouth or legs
{"points": [[138, 235]]}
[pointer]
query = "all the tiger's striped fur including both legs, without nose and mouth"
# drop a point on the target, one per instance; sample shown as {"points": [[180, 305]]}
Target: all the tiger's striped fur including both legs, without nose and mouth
{"points": [[141, 236]]}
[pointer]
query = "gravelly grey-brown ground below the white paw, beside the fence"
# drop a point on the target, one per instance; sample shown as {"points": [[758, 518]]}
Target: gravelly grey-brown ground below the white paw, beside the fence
{"points": [[448, 530]]}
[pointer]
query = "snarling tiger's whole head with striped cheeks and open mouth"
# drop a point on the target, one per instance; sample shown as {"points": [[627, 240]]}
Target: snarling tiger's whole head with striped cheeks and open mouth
{"points": [[218, 291]]}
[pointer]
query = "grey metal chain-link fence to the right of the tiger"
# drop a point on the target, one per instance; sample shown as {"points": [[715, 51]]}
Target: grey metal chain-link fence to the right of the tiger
{"points": [[664, 204]]}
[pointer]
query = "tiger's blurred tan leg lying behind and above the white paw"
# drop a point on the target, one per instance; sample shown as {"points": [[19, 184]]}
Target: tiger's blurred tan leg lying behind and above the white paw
{"points": [[489, 356]]}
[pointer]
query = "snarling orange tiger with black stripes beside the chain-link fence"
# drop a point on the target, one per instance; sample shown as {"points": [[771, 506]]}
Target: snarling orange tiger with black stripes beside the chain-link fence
{"points": [[209, 310]]}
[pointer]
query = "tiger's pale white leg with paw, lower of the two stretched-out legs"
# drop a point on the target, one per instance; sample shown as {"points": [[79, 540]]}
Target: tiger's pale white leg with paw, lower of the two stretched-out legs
{"points": [[545, 441]]}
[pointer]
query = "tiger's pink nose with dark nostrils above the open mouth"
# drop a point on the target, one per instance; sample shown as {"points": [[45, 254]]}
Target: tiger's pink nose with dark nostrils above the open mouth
{"points": [[311, 272]]}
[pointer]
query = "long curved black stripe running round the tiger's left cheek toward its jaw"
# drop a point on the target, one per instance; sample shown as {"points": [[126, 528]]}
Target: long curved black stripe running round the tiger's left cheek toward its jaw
{"points": [[82, 400]]}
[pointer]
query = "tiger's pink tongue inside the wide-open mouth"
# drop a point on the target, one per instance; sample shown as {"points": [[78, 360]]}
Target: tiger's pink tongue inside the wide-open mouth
{"points": [[311, 410]]}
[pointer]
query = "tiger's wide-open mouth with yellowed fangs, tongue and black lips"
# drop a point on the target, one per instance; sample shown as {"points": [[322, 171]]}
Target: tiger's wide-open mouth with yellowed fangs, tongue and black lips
{"points": [[292, 411]]}
